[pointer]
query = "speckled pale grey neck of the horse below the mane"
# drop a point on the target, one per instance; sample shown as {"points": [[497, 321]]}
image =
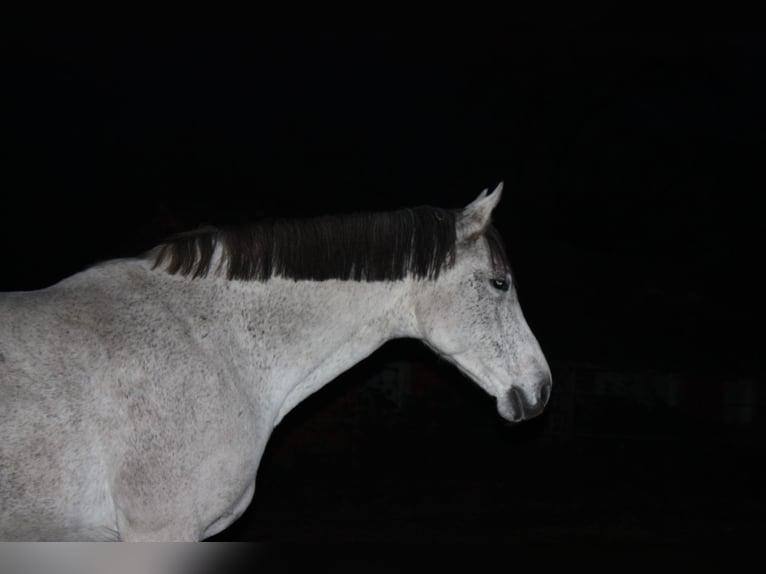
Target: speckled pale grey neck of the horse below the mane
{"points": [[312, 331]]}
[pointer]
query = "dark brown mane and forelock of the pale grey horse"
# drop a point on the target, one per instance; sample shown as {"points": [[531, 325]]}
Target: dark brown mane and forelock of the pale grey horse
{"points": [[361, 247]]}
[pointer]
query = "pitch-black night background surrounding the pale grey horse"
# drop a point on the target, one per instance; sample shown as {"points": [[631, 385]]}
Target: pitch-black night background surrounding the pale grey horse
{"points": [[630, 148]]}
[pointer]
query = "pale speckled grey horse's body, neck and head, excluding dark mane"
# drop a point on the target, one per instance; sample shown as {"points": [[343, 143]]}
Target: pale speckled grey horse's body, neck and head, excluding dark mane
{"points": [[137, 397]]}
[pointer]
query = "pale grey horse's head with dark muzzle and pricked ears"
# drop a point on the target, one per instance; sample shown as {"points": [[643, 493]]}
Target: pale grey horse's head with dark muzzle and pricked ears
{"points": [[471, 316]]}
